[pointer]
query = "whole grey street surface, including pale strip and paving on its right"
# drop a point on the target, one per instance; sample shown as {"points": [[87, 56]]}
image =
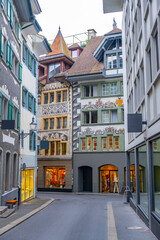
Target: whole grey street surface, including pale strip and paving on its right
{"points": [[81, 217]]}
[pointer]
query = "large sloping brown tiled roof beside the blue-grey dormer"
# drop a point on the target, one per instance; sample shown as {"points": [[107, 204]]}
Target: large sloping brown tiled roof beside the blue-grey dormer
{"points": [[87, 63]]}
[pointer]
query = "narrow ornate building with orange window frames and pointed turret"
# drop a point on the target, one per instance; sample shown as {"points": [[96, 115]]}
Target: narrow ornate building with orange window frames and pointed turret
{"points": [[55, 119]]}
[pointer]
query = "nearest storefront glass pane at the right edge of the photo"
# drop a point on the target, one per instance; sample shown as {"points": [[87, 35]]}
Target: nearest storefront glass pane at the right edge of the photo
{"points": [[156, 173]]}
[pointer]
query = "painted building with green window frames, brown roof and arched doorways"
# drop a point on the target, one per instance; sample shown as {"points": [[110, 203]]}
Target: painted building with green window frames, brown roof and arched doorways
{"points": [[98, 124]]}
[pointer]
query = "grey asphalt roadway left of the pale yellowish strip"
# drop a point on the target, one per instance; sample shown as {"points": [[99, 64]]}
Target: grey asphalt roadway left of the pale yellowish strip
{"points": [[69, 217]]}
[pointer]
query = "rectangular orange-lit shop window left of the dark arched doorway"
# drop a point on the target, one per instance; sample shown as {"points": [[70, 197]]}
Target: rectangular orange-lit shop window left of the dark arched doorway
{"points": [[55, 177]]}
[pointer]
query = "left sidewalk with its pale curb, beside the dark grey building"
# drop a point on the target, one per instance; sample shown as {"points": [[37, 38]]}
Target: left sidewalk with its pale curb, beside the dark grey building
{"points": [[25, 211]]}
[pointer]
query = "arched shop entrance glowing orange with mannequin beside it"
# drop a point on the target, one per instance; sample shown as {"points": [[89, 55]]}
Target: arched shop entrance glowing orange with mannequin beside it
{"points": [[109, 179]]}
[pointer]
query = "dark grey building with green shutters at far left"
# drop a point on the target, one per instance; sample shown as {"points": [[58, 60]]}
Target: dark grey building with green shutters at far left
{"points": [[10, 82]]}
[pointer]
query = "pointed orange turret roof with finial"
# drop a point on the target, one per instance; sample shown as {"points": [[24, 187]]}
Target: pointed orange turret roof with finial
{"points": [[59, 46]]}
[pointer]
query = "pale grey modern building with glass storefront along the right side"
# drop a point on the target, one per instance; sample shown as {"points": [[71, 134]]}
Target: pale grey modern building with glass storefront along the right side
{"points": [[141, 42]]}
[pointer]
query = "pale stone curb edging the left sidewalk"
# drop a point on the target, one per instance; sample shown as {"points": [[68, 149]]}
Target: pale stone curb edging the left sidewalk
{"points": [[23, 218]]}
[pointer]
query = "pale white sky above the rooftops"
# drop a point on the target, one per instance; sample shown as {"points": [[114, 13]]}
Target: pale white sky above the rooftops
{"points": [[74, 17]]}
